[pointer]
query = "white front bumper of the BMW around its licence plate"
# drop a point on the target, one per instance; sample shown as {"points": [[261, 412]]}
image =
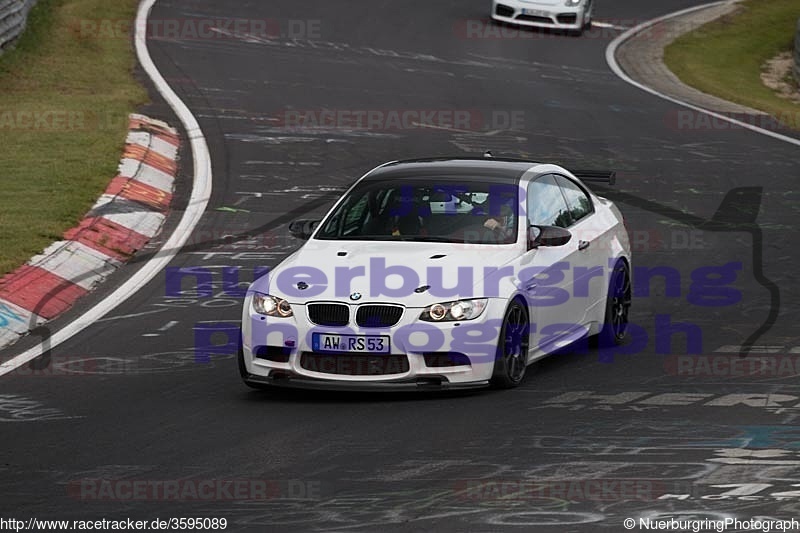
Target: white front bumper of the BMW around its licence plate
{"points": [[277, 351]]}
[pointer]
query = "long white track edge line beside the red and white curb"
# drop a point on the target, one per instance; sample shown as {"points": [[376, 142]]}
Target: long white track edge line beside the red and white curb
{"points": [[200, 195]]}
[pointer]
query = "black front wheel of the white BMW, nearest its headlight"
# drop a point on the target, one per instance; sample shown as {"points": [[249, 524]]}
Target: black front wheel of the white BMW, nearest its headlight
{"points": [[511, 359]]}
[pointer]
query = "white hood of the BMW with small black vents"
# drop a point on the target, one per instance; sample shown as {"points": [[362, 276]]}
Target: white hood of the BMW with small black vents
{"points": [[386, 272]]}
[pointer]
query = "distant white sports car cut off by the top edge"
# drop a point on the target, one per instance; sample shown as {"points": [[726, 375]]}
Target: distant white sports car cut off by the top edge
{"points": [[571, 15]]}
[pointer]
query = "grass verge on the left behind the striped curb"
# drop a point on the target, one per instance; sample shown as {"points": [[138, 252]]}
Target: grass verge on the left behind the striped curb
{"points": [[65, 94]]}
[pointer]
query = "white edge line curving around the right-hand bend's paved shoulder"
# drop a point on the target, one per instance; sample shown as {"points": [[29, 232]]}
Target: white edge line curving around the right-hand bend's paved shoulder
{"points": [[611, 59]]}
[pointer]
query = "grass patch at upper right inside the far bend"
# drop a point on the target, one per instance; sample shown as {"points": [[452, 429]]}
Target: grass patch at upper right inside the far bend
{"points": [[725, 57]]}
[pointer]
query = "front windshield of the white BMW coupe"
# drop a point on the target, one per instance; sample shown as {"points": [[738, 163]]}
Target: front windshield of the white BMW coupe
{"points": [[464, 211]]}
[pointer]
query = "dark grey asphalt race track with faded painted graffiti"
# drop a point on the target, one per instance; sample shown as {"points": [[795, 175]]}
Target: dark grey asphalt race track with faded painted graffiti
{"points": [[589, 439]]}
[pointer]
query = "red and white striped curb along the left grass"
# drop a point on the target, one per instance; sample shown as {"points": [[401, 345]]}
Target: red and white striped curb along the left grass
{"points": [[125, 217]]}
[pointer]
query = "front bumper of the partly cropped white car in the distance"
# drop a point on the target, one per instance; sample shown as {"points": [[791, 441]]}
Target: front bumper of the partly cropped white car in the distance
{"points": [[556, 17]]}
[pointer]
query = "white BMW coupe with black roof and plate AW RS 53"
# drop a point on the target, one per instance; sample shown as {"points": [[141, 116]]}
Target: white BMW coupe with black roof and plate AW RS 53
{"points": [[441, 273]]}
